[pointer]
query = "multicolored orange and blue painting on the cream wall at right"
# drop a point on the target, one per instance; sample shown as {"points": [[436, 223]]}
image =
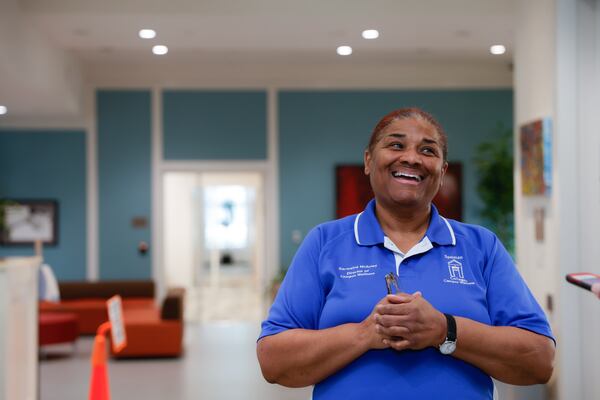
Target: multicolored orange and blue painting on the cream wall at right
{"points": [[536, 157]]}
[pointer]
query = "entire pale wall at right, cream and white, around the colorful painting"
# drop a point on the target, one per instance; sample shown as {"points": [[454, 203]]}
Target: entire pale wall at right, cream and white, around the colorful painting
{"points": [[556, 74]]}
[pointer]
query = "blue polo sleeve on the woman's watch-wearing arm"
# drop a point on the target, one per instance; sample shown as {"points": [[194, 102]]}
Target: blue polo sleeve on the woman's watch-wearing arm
{"points": [[510, 302]]}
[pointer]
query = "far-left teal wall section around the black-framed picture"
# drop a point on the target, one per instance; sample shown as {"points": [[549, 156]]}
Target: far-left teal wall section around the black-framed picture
{"points": [[49, 165]]}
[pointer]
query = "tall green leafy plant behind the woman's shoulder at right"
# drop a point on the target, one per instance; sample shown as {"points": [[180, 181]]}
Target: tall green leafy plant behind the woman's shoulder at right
{"points": [[494, 162]]}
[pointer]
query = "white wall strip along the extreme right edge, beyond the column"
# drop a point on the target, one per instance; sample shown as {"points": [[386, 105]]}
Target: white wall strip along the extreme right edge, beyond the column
{"points": [[588, 156]]}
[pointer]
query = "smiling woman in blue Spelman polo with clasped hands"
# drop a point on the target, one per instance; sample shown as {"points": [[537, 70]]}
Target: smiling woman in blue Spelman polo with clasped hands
{"points": [[463, 313]]}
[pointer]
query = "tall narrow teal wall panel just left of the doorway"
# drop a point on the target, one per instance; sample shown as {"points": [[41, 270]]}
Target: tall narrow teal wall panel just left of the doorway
{"points": [[124, 181]]}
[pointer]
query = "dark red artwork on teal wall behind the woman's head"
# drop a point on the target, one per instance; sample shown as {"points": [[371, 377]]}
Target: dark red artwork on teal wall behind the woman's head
{"points": [[354, 191]]}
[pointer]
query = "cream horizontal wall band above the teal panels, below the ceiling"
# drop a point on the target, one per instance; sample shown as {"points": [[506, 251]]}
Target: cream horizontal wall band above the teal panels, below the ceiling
{"points": [[291, 71]]}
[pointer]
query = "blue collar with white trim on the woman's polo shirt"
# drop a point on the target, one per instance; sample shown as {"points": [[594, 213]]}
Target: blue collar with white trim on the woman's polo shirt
{"points": [[368, 232]]}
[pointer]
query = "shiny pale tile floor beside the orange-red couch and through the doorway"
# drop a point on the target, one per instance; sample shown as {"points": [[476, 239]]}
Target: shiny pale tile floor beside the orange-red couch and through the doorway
{"points": [[219, 360]]}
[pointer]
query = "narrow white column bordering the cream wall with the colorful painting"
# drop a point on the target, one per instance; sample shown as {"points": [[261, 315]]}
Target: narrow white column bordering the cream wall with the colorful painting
{"points": [[568, 359]]}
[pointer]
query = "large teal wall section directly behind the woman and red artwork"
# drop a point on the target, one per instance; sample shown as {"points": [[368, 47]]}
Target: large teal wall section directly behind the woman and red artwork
{"points": [[320, 129]]}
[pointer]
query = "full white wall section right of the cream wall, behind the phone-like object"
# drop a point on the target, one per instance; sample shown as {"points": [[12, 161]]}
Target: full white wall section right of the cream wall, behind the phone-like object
{"points": [[578, 72]]}
